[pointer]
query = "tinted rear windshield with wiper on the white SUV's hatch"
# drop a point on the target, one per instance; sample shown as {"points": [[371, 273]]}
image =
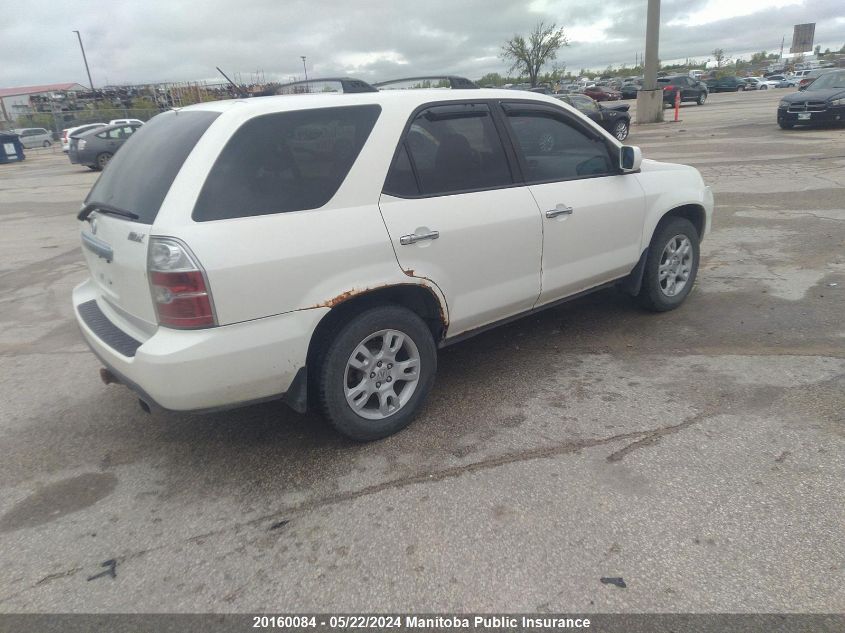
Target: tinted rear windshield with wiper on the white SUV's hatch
{"points": [[140, 174]]}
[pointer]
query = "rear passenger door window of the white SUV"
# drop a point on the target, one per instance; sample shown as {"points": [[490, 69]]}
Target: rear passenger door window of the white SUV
{"points": [[453, 148]]}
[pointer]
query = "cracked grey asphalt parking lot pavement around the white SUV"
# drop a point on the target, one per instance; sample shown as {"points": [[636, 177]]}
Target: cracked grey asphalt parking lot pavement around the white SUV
{"points": [[698, 454]]}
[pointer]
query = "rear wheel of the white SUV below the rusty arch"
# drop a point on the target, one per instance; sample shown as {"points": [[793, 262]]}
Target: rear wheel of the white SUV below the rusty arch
{"points": [[377, 372]]}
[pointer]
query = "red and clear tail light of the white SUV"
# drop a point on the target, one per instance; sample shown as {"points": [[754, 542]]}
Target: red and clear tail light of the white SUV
{"points": [[179, 286]]}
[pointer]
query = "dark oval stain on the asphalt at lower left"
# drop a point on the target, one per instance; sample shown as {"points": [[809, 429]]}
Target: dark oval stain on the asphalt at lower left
{"points": [[58, 499]]}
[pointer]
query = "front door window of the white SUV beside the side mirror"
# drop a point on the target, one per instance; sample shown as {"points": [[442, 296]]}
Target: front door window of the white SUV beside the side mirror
{"points": [[554, 149]]}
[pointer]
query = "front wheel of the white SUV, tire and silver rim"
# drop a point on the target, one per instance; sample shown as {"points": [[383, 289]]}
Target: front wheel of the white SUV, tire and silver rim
{"points": [[671, 265]]}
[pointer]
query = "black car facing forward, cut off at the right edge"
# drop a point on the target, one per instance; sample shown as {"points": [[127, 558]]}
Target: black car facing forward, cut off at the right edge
{"points": [[823, 101]]}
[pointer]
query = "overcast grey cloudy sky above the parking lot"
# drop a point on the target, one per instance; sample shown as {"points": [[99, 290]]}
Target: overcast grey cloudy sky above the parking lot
{"points": [[133, 41]]}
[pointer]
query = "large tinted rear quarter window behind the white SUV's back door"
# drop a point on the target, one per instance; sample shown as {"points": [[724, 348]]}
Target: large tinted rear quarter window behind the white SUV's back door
{"points": [[288, 161]]}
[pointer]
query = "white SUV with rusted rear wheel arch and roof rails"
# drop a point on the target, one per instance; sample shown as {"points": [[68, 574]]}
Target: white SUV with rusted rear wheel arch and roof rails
{"points": [[320, 248]]}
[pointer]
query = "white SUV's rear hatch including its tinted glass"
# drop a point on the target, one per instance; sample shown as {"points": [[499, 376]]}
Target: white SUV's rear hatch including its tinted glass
{"points": [[121, 208]]}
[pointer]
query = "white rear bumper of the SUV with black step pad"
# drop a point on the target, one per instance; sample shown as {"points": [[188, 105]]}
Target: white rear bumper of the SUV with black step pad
{"points": [[200, 370]]}
